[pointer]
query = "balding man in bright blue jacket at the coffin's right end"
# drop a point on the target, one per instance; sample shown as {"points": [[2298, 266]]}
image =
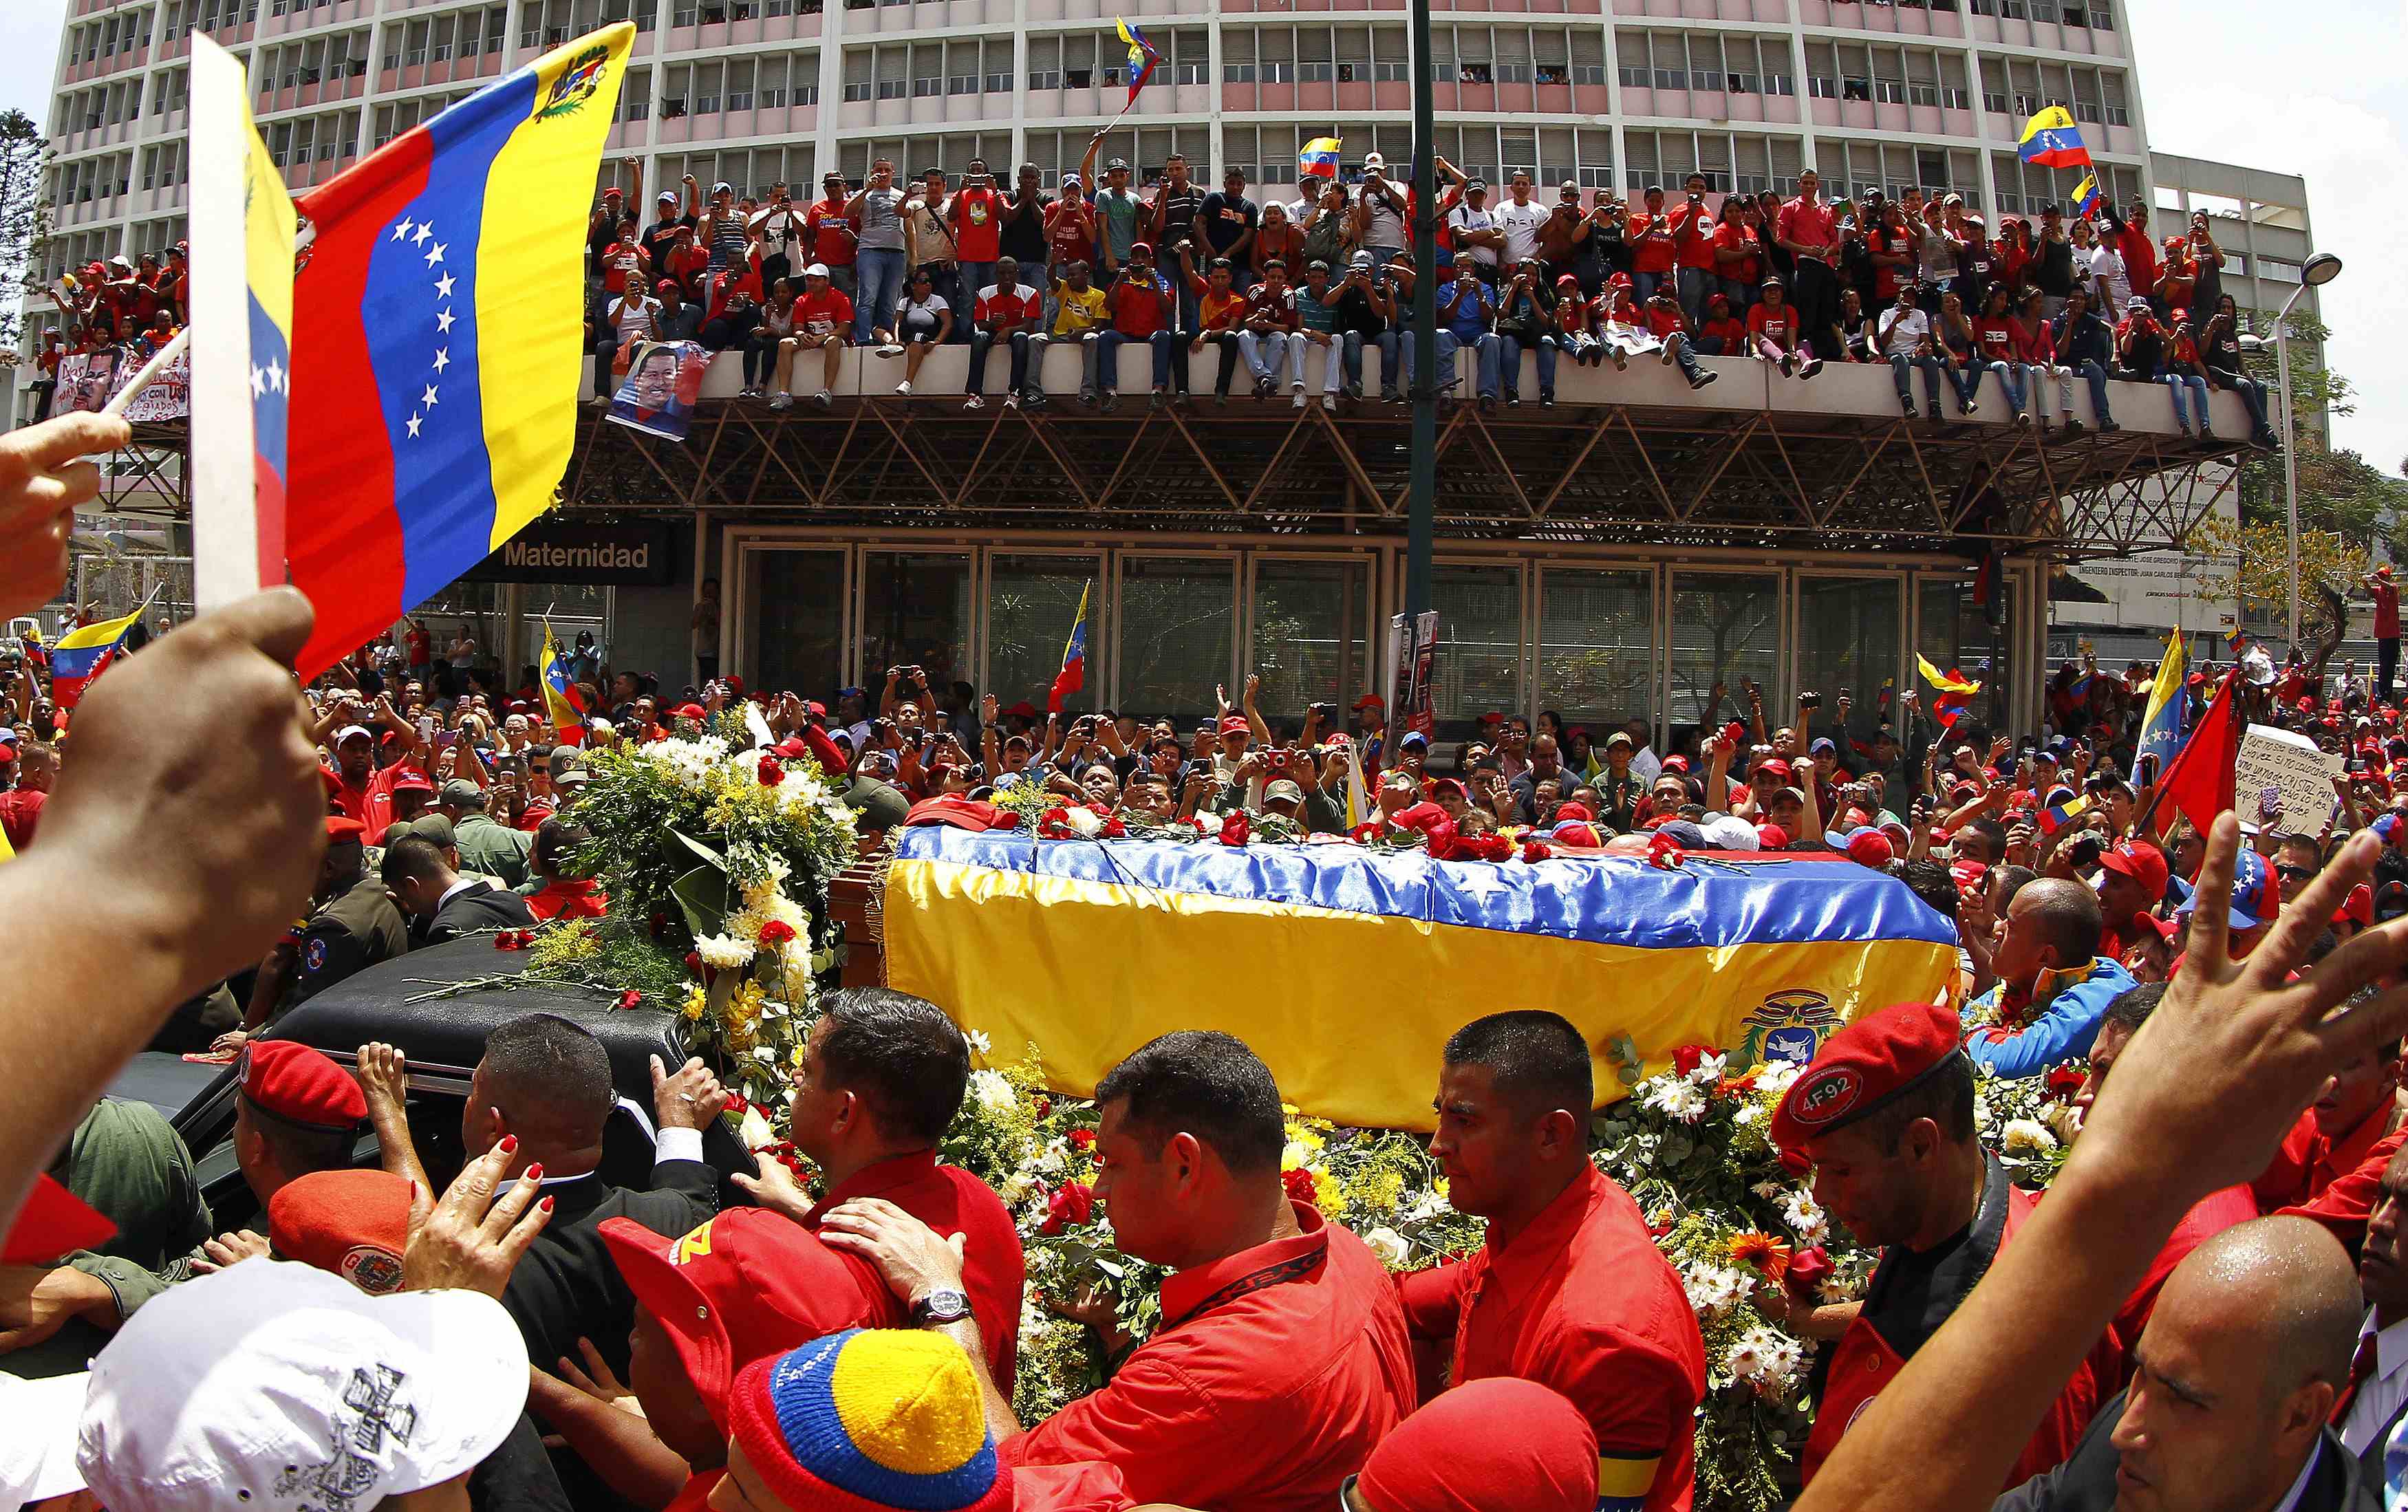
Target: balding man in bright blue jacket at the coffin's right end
{"points": [[2053, 981]]}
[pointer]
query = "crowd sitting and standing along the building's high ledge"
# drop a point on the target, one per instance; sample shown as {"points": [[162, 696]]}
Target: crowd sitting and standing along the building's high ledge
{"points": [[1923, 285]]}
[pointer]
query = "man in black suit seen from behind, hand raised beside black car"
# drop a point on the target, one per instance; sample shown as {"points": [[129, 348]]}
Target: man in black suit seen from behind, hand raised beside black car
{"points": [[545, 1082]]}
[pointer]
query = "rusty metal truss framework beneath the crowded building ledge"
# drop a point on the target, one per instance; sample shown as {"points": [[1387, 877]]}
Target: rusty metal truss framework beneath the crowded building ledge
{"points": [[1607, 473]]}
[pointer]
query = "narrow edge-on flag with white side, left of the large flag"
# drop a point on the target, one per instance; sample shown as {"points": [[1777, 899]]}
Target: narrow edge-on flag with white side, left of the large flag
{"points": [[242, 321]]}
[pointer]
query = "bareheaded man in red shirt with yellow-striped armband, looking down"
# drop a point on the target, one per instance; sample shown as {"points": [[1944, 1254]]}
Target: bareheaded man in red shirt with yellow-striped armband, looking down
{"points": [[1569, 1289]]}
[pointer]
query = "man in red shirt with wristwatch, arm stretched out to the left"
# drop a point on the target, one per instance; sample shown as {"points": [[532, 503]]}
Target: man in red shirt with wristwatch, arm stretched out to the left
{"points": [[1282, 1359]]}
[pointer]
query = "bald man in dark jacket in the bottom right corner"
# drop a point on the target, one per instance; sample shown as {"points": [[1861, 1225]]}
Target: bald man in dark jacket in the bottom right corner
{"points": [[2238, 1374]]}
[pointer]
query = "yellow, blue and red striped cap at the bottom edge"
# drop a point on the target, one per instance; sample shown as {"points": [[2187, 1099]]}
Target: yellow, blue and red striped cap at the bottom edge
{"points": [[870, 1419]]}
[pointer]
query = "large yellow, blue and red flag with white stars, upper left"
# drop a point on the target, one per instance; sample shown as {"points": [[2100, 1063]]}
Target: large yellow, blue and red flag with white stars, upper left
{"points": [[439, 338]]}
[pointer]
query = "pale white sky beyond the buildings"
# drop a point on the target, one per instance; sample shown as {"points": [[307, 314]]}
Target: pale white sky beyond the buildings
{"points": [[2229, 81]]}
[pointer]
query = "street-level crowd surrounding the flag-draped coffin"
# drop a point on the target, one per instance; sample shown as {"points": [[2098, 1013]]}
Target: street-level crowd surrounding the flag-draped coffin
{"points": [[2200, 1316]]}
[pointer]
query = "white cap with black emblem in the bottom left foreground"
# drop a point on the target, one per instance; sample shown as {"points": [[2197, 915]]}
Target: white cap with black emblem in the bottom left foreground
{"points": [[283, 1388]]}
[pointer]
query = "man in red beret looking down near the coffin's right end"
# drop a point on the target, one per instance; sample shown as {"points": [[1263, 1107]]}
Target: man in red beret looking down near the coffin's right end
{"points": [[1884, 1114]]}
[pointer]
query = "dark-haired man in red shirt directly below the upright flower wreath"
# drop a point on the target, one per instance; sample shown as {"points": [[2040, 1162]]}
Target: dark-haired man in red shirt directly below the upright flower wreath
{"points": [[883, 1077]]}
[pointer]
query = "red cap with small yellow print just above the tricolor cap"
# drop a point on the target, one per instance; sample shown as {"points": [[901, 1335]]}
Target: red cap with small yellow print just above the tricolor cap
{"points": [[745, 1287]]}
